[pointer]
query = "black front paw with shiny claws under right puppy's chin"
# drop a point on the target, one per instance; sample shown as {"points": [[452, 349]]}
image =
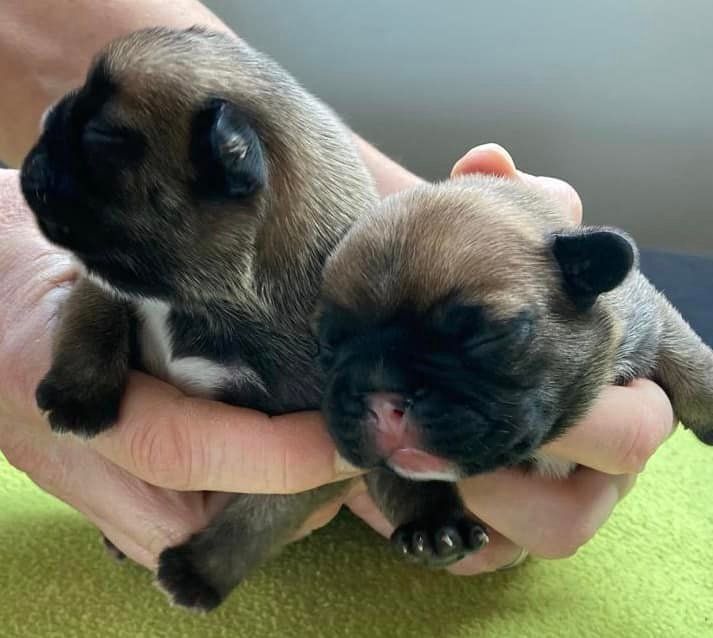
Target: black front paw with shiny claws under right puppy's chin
{"points": [[439, 542]]}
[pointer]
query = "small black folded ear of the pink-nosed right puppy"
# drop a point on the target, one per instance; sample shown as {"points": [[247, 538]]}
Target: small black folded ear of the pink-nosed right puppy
{"points": [[593, 261]]}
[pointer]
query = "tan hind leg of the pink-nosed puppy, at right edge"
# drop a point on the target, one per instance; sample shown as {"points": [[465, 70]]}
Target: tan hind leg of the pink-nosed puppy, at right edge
{"points": [[685, 370]]}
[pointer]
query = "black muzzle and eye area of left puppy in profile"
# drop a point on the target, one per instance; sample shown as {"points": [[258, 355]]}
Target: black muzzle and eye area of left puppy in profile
{"points": [[71, 177]]}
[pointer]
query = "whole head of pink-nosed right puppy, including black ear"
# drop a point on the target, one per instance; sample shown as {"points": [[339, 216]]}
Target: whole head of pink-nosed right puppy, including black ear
{"points": [[455, 343]]}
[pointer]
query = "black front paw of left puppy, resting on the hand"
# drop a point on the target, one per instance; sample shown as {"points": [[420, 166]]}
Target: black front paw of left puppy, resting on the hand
{"points": [[81, 410]]}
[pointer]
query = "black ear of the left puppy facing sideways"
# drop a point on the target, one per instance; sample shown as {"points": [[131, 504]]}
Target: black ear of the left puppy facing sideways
{"points": [[226, 152]]}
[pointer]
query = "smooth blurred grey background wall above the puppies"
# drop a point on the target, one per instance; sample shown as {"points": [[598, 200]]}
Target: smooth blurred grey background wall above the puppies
{"points": [[615, 97]]}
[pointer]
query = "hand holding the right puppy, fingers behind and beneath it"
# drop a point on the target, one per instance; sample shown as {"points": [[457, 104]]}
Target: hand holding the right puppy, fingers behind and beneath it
{"points": [[546, 517]]}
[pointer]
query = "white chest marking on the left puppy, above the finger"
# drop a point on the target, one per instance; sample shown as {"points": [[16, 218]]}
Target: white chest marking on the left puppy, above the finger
{"points": [[195, 376]]}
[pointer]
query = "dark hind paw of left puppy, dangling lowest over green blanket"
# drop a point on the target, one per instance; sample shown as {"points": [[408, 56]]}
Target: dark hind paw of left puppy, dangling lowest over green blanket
{"points": [[182, 583]]}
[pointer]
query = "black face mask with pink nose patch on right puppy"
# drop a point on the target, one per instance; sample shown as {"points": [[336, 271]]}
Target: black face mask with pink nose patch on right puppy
{"points": [[434, 395]]}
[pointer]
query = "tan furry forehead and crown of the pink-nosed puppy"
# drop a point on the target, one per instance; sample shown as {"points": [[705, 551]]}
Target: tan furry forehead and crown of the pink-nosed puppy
{"points": [[416, 249]]}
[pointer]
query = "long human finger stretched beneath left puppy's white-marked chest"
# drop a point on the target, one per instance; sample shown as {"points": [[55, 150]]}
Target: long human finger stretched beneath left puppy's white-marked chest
{"points": [[174, 441]]}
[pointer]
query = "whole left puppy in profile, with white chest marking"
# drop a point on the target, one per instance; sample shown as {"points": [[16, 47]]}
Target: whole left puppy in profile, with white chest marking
{"points": [[201, 190]]}
